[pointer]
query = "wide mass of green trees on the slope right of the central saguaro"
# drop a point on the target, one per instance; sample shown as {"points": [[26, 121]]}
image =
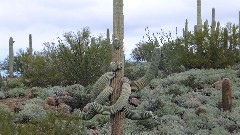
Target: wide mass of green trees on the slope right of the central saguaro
{"points": [[218, 48]]}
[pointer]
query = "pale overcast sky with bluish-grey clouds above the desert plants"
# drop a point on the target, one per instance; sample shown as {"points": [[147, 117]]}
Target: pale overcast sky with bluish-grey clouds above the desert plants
{"points": [[48, 19]]}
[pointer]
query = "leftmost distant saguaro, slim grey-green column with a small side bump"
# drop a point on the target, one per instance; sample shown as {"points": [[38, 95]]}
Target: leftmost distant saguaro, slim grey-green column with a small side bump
{"points": [[11, 57]]}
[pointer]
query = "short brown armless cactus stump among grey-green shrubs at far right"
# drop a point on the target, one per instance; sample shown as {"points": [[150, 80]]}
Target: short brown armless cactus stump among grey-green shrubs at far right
{"points": [[226, 94]]}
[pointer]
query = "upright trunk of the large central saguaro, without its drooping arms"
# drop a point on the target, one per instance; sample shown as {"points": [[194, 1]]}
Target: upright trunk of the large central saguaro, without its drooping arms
{"points": [[117, 119]]}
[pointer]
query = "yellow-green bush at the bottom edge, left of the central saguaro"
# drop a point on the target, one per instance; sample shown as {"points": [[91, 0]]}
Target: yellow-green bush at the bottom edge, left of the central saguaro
{"points": [[53, 123]]}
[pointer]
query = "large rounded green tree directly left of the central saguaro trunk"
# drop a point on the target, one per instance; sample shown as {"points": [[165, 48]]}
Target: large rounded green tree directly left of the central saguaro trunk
{"points": [[82, 58]]}
